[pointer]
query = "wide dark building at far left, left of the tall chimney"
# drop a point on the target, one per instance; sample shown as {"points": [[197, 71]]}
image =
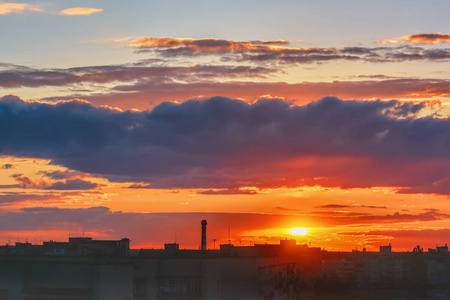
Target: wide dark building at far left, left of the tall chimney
{"points": [[81, 269]]}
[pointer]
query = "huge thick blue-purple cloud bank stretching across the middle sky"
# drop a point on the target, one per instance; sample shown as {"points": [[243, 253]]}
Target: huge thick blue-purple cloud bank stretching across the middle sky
{"points": [[221, 143]]}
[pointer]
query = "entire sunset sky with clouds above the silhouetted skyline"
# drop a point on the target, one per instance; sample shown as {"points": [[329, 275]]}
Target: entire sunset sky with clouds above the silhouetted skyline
{"points": [[139, 119]]}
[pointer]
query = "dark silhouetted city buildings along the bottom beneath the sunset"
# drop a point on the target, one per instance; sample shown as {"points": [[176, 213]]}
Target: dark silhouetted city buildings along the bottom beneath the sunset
{"points": [[87, 269]]}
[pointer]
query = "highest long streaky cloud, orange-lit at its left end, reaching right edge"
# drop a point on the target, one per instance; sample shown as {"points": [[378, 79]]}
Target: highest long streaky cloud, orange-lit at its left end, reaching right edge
{"points": [[277, 52]]}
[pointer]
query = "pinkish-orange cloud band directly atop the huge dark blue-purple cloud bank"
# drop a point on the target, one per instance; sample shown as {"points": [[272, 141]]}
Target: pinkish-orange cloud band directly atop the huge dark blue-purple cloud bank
{"points": [[145, 93]]}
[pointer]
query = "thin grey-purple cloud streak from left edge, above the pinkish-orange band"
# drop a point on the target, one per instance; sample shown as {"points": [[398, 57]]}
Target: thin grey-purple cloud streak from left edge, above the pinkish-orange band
{"points": [[19, 76]]}
